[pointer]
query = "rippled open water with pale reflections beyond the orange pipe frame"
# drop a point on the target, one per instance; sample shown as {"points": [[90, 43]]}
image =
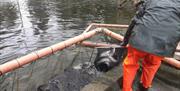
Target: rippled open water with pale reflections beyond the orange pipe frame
{"points": [[27, 25]]}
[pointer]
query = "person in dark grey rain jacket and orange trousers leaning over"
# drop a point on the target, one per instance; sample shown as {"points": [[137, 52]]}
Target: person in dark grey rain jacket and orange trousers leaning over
{"points": [[155, 35]]}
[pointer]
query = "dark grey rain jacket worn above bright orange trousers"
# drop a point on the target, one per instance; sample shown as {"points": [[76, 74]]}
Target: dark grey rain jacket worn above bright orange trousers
{"points": [[158, 31]]}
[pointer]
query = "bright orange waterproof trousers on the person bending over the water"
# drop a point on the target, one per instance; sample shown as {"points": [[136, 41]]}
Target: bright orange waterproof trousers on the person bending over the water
{"points": [[150, 64]]}
